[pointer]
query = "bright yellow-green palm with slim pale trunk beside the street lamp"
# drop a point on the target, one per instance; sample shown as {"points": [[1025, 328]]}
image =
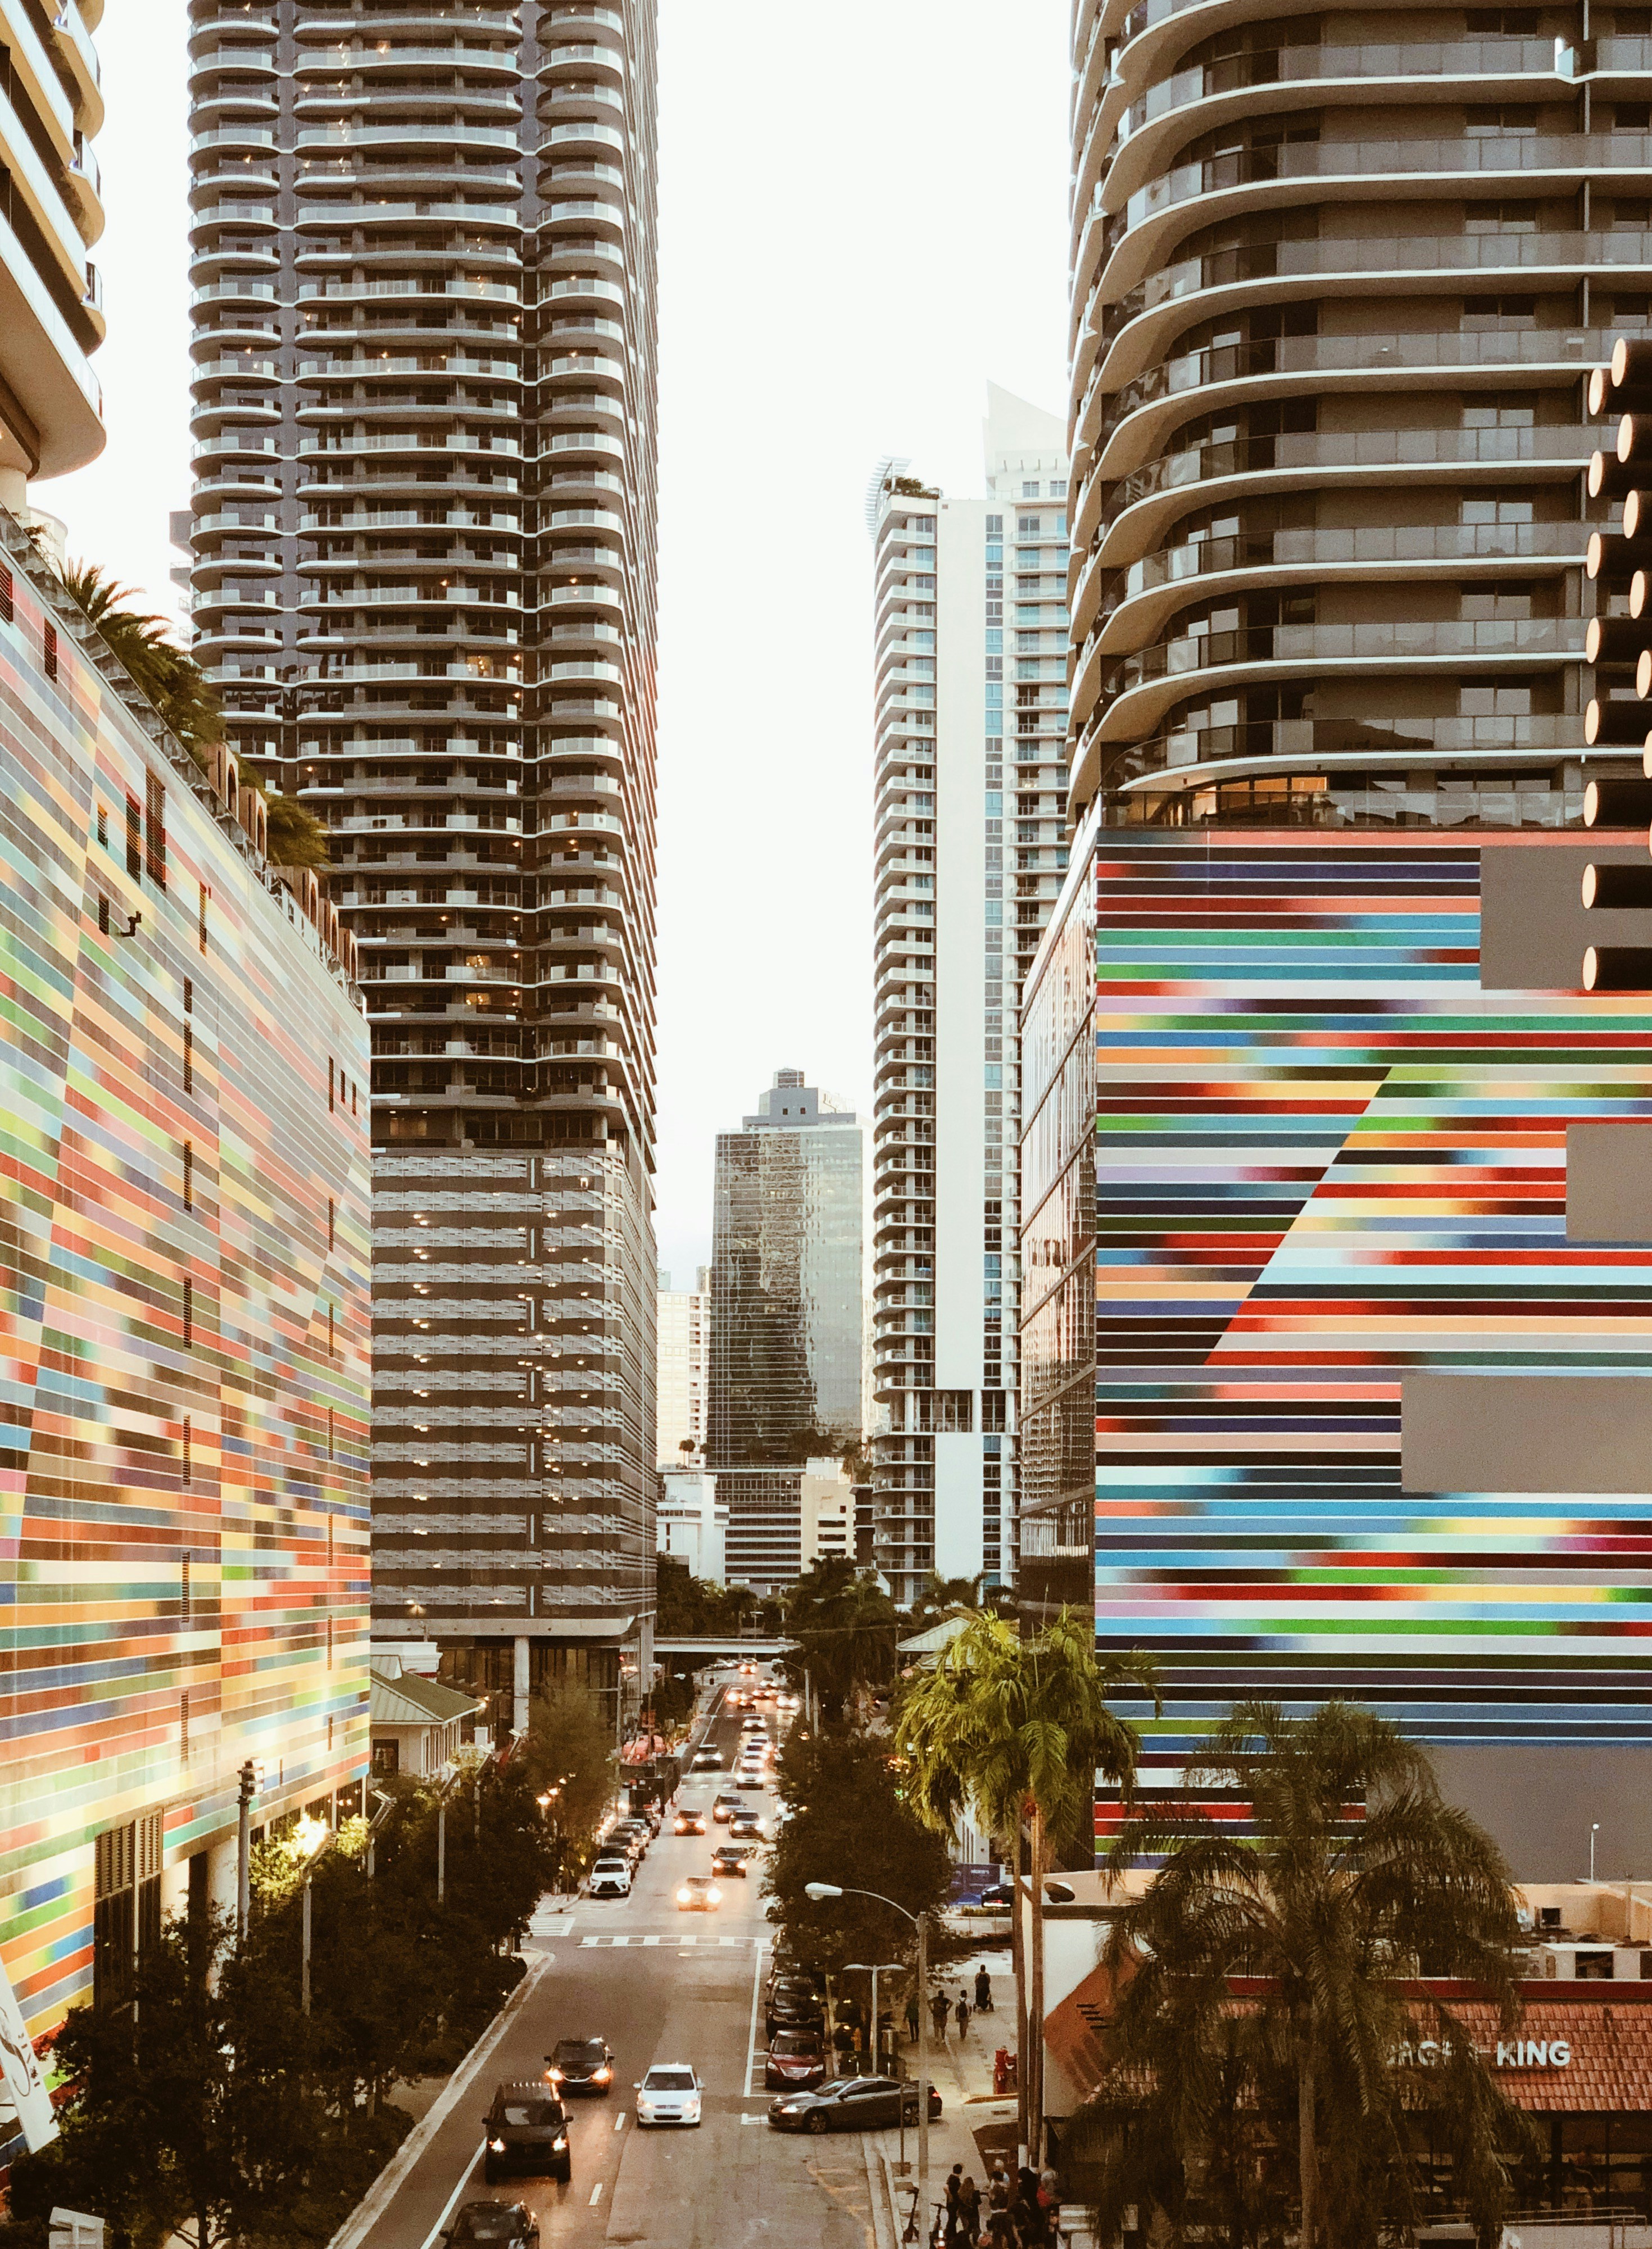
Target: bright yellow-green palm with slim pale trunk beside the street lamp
{"points": [[1016, 1728]]}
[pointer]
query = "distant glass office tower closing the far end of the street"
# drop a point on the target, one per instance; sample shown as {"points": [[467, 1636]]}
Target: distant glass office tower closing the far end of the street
{"points": [[789, 1281]]}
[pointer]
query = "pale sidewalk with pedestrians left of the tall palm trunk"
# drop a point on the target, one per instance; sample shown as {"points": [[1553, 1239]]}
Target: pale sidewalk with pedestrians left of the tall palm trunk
{"points": [[962, 2072]]}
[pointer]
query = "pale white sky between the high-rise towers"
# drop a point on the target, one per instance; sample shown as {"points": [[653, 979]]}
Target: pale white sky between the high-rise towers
{"points": [[863, 224]]}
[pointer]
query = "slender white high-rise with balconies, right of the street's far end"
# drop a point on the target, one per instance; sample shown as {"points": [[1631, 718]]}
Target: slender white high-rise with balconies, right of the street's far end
{"points": [[971, 624]]}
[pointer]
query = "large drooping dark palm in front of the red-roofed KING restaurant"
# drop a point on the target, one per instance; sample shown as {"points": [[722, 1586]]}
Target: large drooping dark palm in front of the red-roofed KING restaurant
{"points": [[1356, 1877]]}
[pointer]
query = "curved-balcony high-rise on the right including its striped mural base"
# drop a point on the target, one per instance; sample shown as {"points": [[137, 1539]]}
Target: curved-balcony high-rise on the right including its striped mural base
{"points": [[1311, 1292]]}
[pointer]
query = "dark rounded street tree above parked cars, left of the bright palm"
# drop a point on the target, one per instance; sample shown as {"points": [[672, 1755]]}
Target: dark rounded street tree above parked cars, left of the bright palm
{"points": [[850, 1825]]}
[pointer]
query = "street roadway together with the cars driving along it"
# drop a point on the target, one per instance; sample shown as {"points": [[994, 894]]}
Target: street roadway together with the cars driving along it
{"points": [[638, 2066]]}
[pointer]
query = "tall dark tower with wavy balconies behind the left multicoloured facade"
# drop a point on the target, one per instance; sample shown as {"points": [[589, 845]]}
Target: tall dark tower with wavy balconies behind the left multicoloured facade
{"points": [[424, 408]]}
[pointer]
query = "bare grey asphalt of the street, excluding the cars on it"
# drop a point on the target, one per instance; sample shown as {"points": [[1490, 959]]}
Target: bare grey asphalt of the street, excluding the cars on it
{"points": [[663, 1987]]}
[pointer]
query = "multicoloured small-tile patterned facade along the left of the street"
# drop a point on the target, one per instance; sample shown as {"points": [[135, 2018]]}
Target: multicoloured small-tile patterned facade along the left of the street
{"points": [[183, 1315]]}
